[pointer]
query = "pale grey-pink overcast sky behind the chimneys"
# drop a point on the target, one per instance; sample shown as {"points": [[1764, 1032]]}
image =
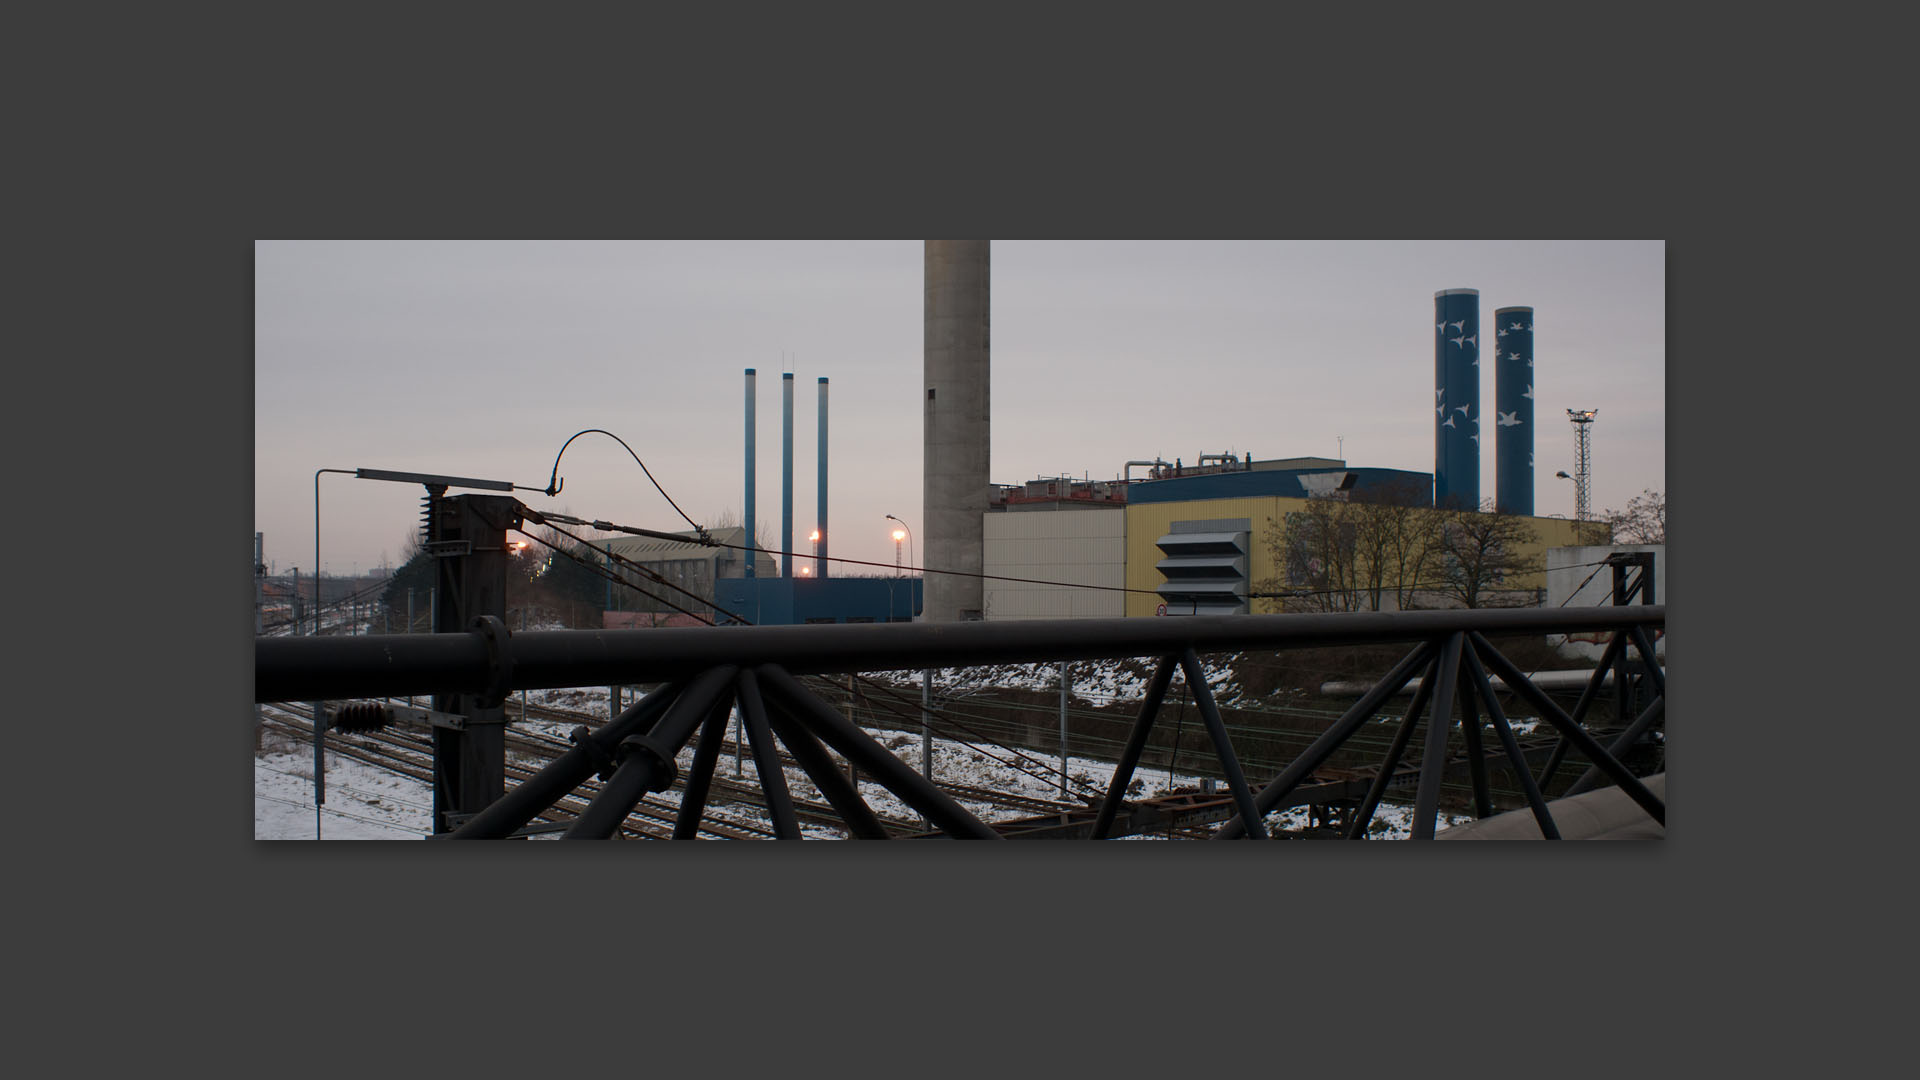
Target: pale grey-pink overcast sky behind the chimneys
{"points": [[479, 358]]}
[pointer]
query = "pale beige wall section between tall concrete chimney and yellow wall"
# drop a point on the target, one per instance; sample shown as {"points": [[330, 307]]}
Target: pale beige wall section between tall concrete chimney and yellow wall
{"points": [[1078, 547]]}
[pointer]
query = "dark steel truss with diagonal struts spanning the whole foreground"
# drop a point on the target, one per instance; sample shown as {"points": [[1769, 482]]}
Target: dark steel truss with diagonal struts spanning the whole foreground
{"points": [[704, 674]]}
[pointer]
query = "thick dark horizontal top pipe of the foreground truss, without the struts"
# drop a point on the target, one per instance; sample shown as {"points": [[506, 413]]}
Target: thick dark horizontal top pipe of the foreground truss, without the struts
{"points": [[373, 666]]}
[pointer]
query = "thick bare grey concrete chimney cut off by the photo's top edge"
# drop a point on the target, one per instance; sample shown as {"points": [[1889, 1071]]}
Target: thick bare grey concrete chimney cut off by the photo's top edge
{"points": [[957, 428]]}
